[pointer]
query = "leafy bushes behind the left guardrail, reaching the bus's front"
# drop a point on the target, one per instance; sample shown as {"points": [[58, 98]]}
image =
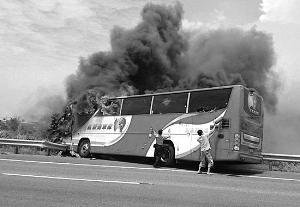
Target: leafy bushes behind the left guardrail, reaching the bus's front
{"points": [[55, 127]]}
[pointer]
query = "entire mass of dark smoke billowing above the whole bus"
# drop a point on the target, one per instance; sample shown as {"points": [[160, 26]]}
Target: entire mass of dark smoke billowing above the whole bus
{"points": [[157, 55]]}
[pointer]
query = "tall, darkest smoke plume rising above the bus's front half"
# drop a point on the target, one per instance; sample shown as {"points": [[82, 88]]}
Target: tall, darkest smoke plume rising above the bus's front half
{"points": [[143, 58]]}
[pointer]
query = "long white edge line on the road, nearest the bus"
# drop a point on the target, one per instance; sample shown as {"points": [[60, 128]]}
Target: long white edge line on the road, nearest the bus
{"points": [[139, 168]]}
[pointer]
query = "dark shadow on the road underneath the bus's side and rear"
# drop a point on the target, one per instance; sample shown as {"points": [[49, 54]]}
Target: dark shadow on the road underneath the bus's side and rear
{"points": [[231, 168]]}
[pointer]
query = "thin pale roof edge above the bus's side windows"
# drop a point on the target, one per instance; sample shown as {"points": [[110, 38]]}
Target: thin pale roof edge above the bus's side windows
{"points": [[174, 92]]}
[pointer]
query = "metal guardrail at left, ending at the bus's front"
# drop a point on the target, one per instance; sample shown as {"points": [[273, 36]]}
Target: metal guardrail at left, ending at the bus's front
{"points": [[34, 143]]}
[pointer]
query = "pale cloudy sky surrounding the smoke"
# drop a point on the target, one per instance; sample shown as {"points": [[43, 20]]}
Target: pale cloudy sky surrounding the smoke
{"points": [[42, 41]]}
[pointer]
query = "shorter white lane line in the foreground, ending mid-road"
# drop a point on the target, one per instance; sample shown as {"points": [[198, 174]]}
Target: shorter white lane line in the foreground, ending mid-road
{"points": [[73, 179]]}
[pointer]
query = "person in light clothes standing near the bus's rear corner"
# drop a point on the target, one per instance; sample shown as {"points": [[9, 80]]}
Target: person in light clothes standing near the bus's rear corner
{"points": [[204, 152]]}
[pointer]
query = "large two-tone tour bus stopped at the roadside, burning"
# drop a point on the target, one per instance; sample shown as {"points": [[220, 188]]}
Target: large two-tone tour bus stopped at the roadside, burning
{"points": [[231, 116]]}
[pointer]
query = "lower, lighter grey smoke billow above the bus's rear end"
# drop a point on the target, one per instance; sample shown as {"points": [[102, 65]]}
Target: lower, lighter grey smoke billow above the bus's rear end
{"points": [[233, 56]]}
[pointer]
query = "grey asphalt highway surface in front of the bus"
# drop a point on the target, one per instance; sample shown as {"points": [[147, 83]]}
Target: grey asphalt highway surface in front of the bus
{"points": [[27, 180]]}
